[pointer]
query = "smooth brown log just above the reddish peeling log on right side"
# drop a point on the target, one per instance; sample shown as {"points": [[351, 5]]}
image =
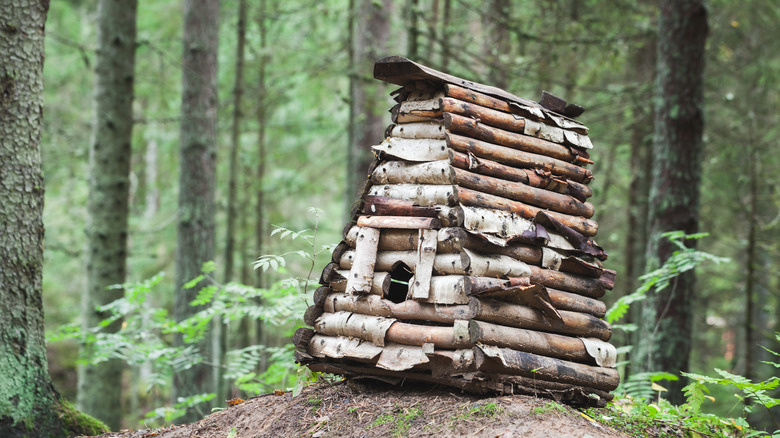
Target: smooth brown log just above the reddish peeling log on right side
{"points": [[518, 158]]}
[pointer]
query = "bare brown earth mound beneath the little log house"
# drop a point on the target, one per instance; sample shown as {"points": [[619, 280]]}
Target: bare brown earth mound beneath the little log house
{"points": [[372, 409]]}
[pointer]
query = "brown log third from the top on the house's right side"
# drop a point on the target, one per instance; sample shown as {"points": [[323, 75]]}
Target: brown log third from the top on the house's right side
{"points": [[468, 127]]}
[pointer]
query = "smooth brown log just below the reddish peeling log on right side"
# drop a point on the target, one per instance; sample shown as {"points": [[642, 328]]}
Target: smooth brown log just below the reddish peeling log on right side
{"points": [[523, 192]]}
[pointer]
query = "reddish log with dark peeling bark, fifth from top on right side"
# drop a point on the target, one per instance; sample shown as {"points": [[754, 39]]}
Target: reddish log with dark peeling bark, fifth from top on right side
{"points": [[533, 177]]}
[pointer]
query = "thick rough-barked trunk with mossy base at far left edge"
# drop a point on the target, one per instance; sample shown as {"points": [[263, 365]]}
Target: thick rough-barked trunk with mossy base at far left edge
{"points": [[29, 404]]}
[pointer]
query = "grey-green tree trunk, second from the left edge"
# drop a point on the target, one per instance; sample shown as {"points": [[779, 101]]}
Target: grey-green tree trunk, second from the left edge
{"points": [[109, 184]]}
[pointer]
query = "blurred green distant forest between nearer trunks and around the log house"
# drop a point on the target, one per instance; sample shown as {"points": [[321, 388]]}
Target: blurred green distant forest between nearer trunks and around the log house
{"points": [[300, 126]]}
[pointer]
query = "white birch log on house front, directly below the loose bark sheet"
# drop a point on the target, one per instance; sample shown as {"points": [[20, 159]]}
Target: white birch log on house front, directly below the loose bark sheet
{"points": [[401, 172]]}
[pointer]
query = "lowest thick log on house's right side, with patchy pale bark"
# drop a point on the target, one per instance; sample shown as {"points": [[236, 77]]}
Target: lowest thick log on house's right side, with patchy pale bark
{"points": [[504, 360]]}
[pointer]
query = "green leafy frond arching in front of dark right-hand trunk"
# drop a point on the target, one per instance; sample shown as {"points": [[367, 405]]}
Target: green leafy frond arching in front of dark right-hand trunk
{"points": [[682, 260]]}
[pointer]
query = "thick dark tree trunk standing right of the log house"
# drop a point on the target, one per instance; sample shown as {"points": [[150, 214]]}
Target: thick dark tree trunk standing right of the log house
{"points": [[664, 340]]}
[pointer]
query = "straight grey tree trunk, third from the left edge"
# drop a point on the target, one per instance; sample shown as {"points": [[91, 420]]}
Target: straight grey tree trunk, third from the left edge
{"points": [[198, 158]]}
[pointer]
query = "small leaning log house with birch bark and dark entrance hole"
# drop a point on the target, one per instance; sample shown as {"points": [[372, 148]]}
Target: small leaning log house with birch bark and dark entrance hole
{"points": [[470, 260]]}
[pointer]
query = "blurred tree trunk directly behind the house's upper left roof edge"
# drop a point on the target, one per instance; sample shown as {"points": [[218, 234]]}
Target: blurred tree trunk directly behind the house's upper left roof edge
{"points": [[368, 105]]}
